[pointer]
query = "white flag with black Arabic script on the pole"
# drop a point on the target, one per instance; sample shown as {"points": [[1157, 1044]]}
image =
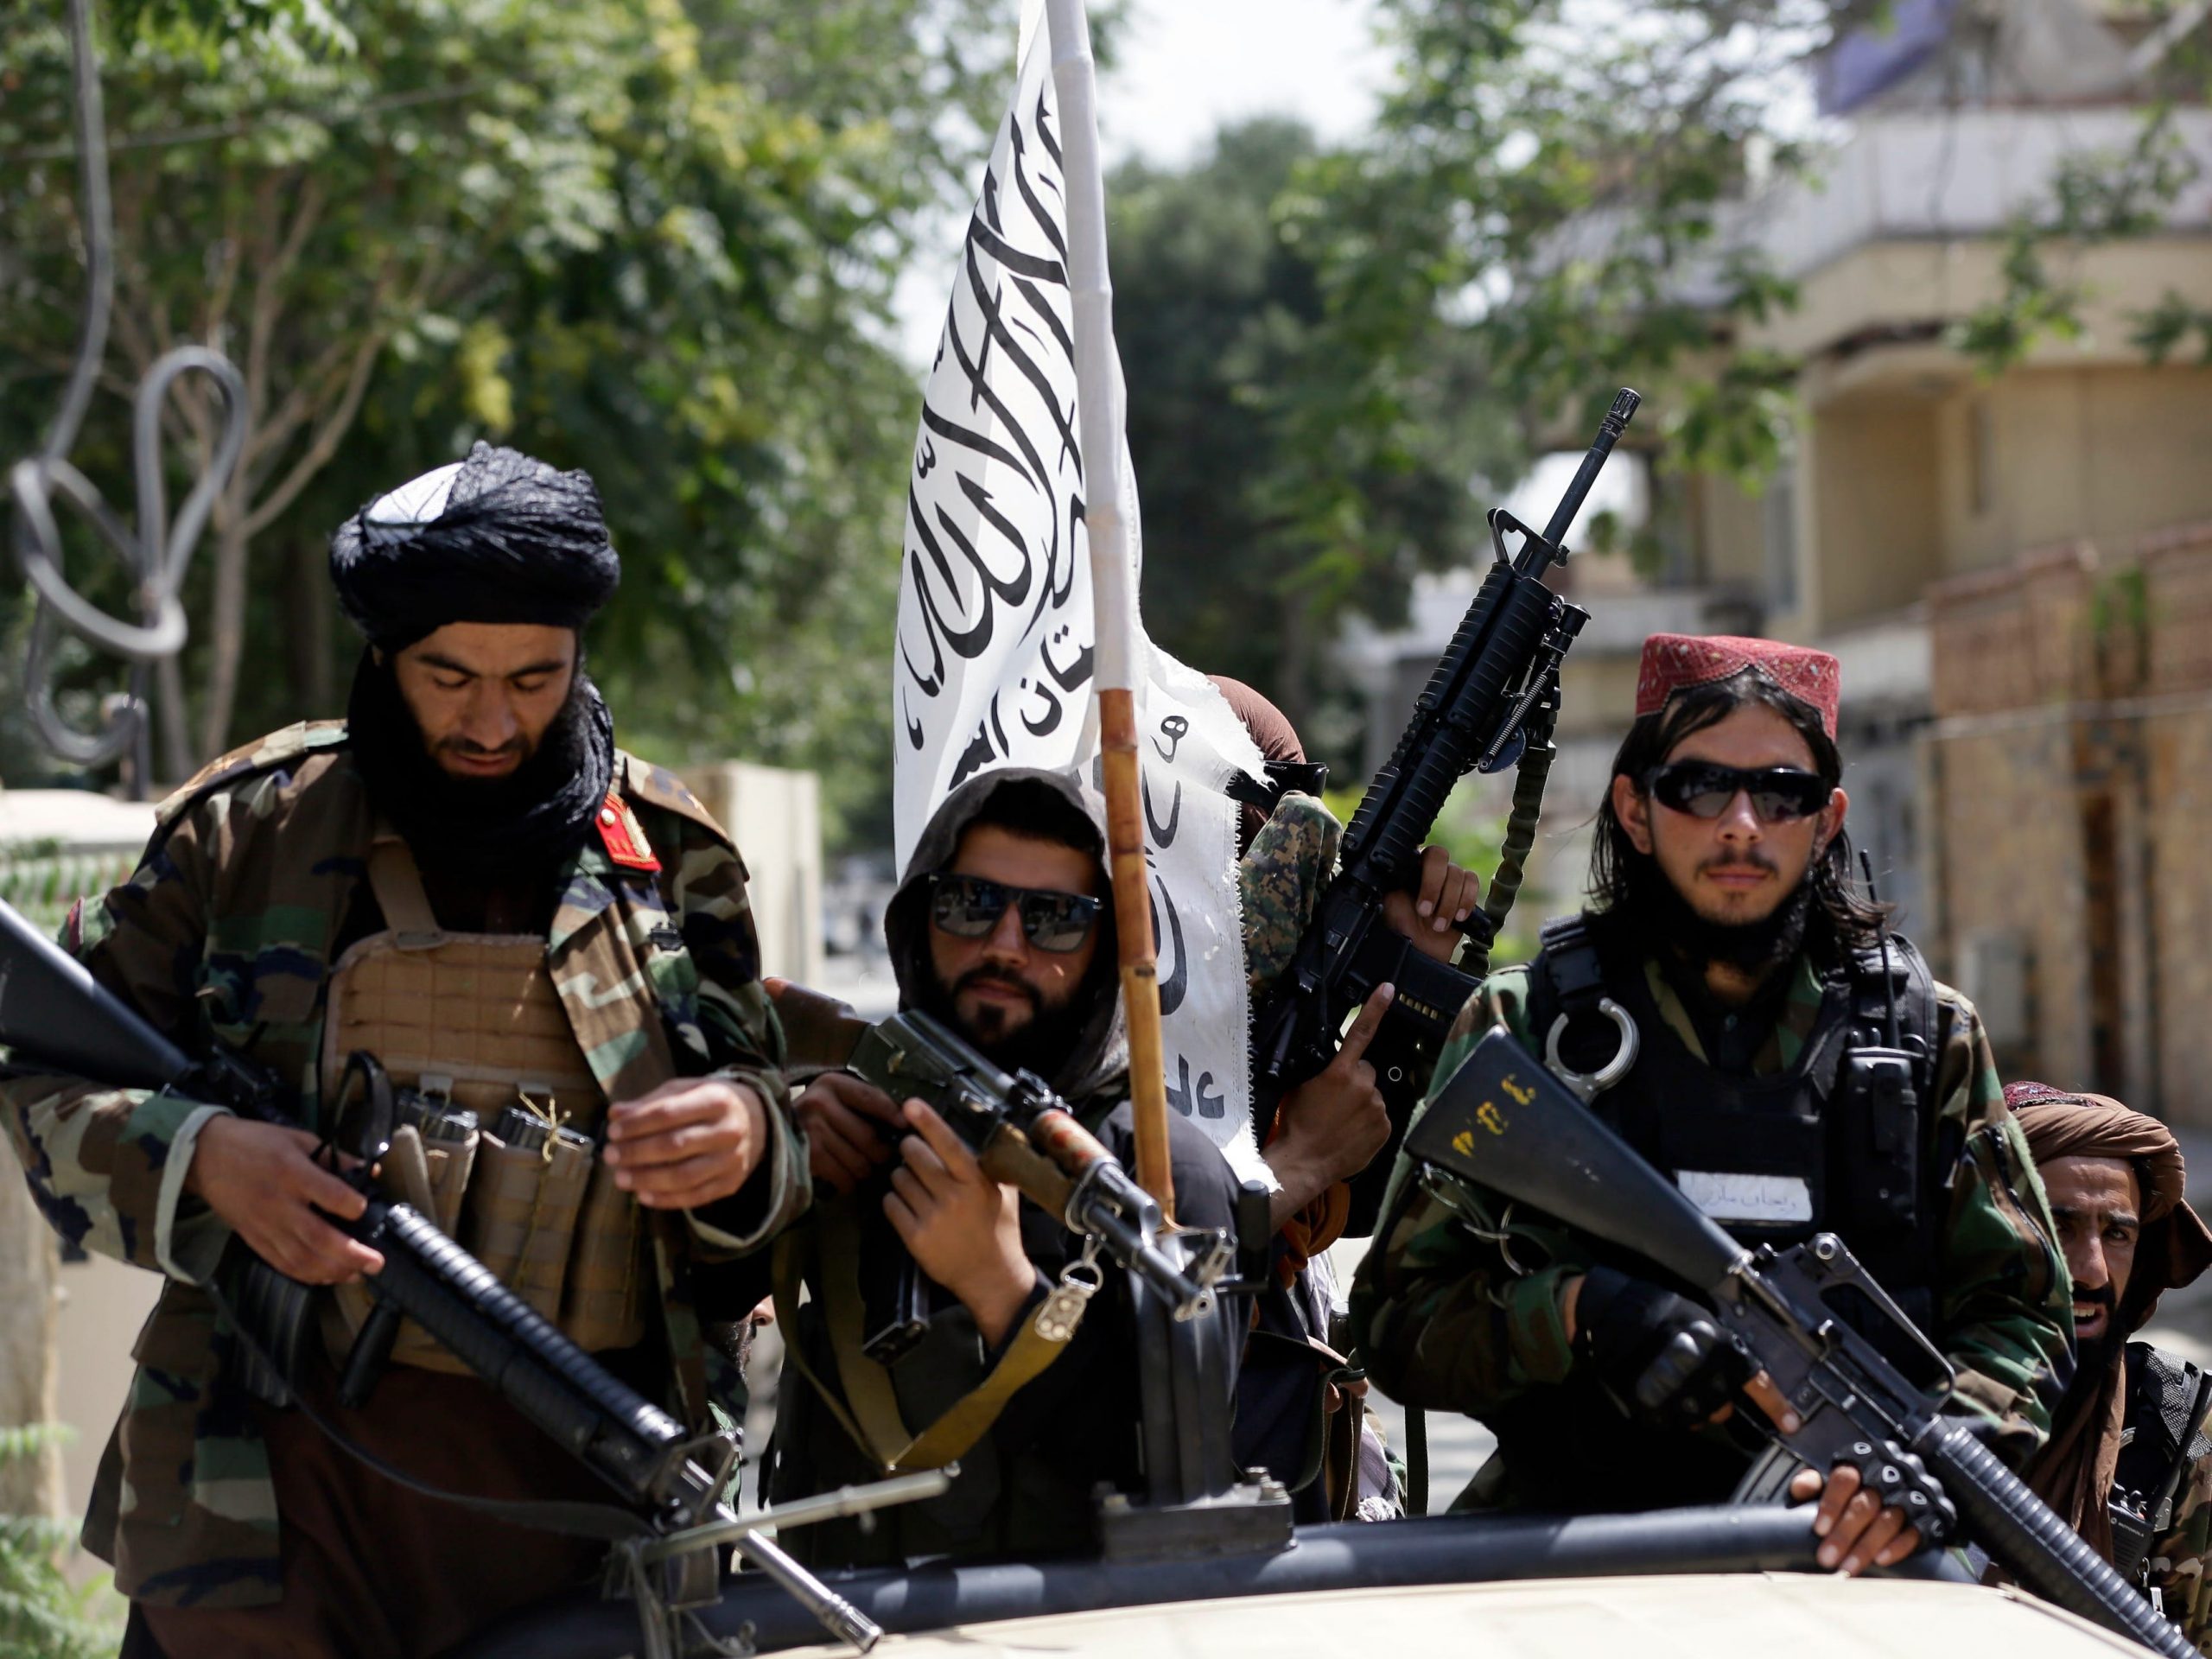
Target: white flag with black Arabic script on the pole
{"points": [[997, 627]]}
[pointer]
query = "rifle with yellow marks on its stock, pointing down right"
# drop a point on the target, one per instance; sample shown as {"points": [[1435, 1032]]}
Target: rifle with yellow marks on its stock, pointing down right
{"points": [[1804, 1315]]}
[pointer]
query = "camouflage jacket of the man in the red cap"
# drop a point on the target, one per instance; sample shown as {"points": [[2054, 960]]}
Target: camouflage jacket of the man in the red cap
{"points": [[1457, 1324]]}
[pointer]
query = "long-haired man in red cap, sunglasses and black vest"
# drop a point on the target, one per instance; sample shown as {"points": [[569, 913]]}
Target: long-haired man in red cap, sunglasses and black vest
{"points": [[1711, 1008]]}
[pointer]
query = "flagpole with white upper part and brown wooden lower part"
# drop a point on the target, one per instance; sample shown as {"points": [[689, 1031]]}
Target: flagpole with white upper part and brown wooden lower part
{"points": [[1098, 424]]}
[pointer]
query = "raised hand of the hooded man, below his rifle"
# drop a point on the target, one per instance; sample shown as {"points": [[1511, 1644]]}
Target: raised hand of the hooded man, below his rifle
{"points": [[959, 1224]]}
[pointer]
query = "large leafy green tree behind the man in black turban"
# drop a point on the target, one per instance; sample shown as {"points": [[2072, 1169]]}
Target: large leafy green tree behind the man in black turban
{"points": [[649, 238]]}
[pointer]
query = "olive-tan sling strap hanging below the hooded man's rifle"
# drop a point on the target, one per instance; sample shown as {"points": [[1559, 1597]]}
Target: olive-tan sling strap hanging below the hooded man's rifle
{"points": [[868, 1408]]}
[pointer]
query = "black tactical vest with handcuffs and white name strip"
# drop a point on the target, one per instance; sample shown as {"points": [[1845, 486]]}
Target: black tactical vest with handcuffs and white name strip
{"points": [[1846, 1140]]}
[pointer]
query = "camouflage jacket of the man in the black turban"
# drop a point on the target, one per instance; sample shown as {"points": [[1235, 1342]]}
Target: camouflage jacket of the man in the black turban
{"points": [[227, 932]]}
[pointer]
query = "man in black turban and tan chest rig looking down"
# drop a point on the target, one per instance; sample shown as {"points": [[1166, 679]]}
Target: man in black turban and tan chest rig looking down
{"points": [[550, 941]]}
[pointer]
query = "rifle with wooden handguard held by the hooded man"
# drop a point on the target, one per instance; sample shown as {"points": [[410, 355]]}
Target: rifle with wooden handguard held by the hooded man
{"points": [[1025, 1136]]}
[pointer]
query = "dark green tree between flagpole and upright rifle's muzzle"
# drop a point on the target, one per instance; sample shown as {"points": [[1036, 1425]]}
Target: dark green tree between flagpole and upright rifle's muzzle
{"points": [[1271, 508]]}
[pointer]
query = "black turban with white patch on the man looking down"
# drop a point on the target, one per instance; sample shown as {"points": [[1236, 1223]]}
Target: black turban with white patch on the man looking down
{"points": [[492, 539]]}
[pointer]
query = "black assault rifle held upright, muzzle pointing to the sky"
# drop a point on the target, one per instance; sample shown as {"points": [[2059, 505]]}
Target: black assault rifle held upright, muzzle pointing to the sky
{"points": [[1490, 705]]}
